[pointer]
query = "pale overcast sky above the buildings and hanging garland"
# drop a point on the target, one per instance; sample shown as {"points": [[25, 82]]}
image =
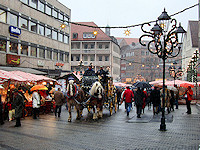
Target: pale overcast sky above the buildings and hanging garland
{"points": [[129, 12]]}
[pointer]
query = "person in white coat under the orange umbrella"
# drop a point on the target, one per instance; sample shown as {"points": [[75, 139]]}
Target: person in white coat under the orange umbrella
{"points": [[36, 104]]}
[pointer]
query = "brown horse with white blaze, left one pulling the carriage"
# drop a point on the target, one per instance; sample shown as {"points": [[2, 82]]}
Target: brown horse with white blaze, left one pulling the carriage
{"points": [[75, 97]]}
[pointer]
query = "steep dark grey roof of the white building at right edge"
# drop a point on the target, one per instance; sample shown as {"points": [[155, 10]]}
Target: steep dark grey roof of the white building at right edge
{"points": [[194, 32]]}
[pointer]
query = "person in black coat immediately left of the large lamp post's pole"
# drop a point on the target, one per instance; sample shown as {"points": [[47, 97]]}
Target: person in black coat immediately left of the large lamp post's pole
{"points": [[155, 99]]}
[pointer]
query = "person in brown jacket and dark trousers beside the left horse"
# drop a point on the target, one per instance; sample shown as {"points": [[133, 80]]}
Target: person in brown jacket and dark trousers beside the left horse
{"points": [[59, 100]]}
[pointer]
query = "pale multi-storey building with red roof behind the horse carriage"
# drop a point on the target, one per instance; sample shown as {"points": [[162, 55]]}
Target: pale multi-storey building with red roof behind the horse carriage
{"points": [[100, 49]]}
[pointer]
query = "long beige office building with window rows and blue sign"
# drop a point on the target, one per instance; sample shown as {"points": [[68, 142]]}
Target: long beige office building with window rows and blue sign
{"points": [[31, 35]]}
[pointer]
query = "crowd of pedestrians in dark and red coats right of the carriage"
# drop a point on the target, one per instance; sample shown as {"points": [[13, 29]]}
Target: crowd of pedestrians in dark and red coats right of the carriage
{"points": [[144, 97]]}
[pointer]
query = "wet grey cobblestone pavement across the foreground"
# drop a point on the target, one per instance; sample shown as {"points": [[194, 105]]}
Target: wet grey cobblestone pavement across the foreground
{"points": [[117, 132]]}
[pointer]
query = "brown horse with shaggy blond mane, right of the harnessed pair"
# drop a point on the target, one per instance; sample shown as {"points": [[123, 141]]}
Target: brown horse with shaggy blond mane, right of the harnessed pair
{"points": [[97, 99]]}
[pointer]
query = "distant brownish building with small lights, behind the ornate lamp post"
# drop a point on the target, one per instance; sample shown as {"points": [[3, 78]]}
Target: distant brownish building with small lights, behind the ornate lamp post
{"points": [[138, 62]]}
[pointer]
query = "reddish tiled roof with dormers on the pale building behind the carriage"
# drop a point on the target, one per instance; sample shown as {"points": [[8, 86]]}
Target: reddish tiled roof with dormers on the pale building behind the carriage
{"points": [[81, 29]]}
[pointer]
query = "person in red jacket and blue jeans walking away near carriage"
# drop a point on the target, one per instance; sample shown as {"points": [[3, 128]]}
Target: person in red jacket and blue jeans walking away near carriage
{"points": [[128, 96]]}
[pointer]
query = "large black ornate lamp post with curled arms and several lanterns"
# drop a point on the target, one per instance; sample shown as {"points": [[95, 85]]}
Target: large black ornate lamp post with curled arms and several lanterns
{"points": [[165, 40]]}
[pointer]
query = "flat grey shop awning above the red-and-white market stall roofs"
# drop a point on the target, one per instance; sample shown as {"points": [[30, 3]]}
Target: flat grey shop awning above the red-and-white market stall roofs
{"points": [[27, 70]]}
